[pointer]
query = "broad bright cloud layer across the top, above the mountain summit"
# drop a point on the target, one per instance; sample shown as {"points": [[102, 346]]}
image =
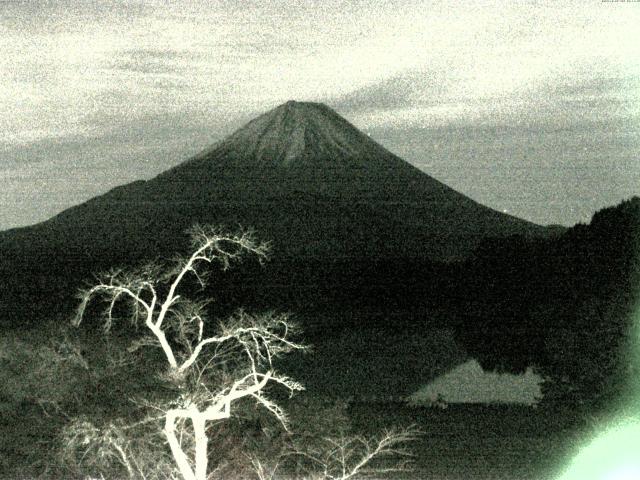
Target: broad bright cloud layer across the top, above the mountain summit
{"points": [[150, 56]]}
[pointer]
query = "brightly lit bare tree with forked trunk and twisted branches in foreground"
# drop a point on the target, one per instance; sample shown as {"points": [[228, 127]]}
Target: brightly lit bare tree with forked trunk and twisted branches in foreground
{"points": [[197, 357]]}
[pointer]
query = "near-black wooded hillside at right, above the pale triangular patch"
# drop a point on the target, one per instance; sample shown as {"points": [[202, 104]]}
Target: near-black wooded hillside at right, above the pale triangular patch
{"points": [[564, 304]]}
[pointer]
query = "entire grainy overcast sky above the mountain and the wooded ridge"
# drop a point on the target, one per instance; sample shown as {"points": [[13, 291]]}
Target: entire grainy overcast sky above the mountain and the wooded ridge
{"points": [[528, 107]]}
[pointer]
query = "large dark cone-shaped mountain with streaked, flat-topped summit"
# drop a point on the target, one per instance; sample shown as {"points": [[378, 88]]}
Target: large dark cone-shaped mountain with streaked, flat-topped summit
{"points": [[300, 174]]}
